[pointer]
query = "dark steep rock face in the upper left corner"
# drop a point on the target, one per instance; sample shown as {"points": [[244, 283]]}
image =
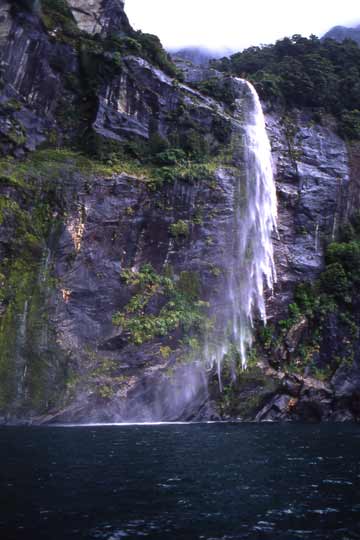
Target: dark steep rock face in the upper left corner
{"points": [[32, 87]]}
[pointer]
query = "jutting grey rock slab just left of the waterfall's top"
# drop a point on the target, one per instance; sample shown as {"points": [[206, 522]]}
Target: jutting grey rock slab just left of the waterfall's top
{"points": [[143, 98]]}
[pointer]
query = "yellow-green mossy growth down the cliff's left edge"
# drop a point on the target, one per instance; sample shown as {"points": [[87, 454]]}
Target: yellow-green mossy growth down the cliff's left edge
{"points": [[32, 212]]}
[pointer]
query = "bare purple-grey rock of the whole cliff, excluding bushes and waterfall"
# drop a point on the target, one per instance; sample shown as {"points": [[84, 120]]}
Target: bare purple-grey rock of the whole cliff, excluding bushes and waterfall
{"points": [[67, 360]]}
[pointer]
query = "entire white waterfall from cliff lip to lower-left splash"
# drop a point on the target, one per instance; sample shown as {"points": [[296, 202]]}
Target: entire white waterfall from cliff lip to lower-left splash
{"points": [[250, 262]]}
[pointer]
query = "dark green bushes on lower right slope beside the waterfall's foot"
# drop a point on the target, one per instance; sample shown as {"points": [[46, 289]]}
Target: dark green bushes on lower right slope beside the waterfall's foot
{"points": [[322, 329]]}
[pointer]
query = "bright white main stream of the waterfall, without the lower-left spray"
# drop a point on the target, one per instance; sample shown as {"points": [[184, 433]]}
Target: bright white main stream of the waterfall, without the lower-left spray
{"points": [[256, 216]]}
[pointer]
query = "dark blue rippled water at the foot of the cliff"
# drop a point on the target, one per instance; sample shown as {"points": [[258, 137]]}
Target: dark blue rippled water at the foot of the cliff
{"points": [[207, 481]]}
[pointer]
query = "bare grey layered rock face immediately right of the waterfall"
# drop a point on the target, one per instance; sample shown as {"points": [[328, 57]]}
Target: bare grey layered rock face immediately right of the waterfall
{"points": [[313, 181]]}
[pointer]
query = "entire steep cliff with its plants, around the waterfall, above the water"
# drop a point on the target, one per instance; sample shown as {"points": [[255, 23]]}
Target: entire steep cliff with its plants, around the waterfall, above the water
{"points": [[120, 174]]}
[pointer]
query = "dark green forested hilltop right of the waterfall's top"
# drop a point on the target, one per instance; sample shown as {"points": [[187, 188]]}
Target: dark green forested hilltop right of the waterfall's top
{"points": [[305, 72]]}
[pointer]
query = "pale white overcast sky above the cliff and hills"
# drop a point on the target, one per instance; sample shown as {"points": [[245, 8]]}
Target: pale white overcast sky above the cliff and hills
{"points": [[236, 24]]}
